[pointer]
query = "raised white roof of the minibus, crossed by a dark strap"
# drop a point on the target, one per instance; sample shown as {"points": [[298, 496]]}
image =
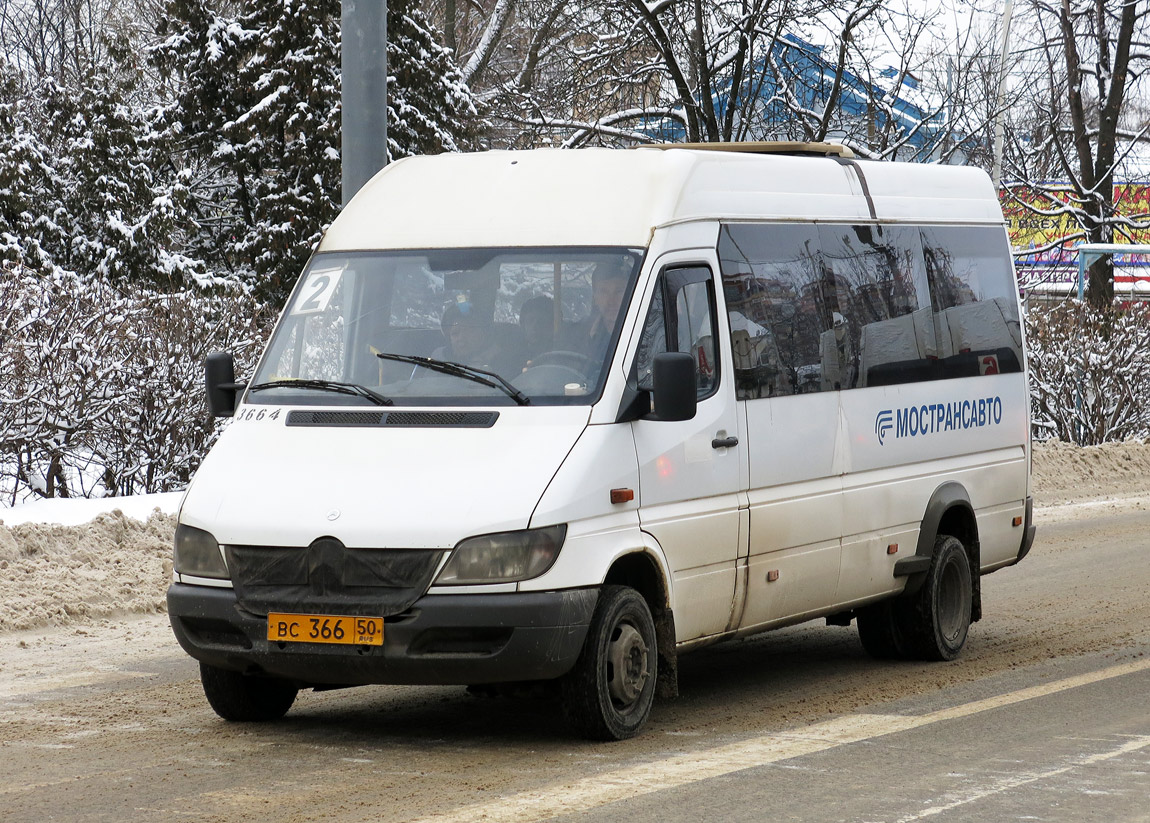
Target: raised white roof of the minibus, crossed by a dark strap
{"points": [[601, 197]]}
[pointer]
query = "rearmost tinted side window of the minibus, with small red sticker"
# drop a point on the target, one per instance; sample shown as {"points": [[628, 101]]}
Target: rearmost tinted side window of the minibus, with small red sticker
{"points": [[975, 301]]}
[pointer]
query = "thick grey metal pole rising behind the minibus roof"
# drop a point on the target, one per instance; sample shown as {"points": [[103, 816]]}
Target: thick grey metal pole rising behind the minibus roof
{"points": [[364, 66]]}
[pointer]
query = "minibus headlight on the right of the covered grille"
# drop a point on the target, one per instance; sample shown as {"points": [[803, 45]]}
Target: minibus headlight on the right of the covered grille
{"points": [[503, 558]]}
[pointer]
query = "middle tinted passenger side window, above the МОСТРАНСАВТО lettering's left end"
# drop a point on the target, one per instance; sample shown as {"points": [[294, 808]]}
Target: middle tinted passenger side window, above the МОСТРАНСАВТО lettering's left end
{"points": [[884, 330]]}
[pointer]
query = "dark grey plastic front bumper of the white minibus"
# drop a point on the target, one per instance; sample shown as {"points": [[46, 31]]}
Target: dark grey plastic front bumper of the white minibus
{"points": [[442, 640]]}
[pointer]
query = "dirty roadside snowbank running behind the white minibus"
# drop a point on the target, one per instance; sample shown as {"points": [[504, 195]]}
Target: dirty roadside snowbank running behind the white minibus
{"points": [[74, 562]]}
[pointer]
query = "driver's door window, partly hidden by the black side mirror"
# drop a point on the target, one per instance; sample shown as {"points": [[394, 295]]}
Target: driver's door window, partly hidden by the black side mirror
{"points": [[681, 319]]}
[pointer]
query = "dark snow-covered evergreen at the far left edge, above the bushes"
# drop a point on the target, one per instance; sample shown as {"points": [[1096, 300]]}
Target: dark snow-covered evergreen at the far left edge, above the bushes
{"points": [[78, 189]]}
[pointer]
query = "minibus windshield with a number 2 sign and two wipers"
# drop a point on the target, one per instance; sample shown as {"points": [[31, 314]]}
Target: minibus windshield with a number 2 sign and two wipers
{"points": [[450, 328]]}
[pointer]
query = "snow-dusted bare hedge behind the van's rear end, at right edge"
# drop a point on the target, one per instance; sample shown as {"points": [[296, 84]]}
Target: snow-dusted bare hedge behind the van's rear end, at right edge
{"points": [[1090, 373]]}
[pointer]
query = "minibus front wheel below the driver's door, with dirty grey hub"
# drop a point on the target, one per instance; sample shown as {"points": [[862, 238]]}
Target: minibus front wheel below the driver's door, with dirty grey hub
{"points": [[609, 694]]}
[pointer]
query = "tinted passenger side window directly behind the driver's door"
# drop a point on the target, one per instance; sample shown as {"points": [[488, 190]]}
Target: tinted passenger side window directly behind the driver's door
{"points": [[781, 307]]}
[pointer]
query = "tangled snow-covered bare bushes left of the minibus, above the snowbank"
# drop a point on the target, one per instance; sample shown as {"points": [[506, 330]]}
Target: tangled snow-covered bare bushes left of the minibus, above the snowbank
{"points": [[102, 391]]}
